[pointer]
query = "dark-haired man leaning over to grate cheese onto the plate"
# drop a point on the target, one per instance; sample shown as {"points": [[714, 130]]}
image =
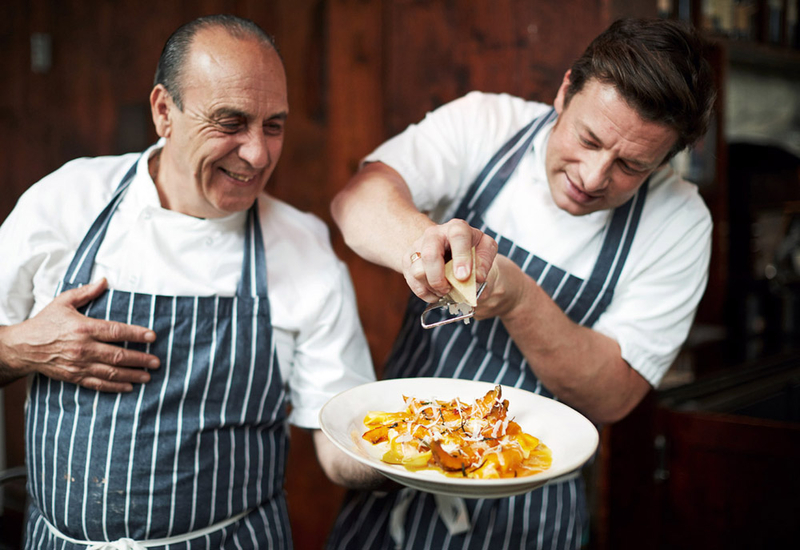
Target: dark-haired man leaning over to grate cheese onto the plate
{"points": [[595, 254]]}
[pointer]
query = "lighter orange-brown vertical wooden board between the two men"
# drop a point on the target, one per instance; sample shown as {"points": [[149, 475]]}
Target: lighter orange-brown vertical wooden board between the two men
{"points": [[355, 127]]}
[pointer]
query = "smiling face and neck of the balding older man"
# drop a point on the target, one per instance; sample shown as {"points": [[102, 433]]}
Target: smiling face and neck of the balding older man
{"points": [[226, 142]]}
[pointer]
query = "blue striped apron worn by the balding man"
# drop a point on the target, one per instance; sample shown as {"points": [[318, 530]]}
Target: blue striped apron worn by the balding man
{"points": [[204, 441]]}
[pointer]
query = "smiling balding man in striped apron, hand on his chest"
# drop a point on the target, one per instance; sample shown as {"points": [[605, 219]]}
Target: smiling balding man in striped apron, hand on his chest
{"points": [[159, 393]]}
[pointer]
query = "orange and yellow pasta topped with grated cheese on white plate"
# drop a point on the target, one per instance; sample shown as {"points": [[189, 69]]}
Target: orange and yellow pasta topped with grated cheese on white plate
{"points": [[474, 440]]}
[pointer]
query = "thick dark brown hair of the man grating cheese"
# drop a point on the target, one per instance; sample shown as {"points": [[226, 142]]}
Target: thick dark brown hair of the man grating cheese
{"points": [[658, 67]]}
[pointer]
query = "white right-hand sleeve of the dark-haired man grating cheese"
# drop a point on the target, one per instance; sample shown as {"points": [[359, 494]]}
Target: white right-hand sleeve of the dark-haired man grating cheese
{"points": [[652, 312]]}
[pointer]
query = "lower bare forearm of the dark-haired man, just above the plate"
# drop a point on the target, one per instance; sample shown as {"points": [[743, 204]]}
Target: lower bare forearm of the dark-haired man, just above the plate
{"points": [[581, 366]]}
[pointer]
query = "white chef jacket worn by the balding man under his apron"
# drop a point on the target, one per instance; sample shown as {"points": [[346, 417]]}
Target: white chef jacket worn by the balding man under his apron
{"points": [[319, 339]]}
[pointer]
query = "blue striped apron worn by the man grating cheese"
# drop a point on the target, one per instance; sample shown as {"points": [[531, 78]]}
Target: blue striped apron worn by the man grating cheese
{"points": [[555, 516]]}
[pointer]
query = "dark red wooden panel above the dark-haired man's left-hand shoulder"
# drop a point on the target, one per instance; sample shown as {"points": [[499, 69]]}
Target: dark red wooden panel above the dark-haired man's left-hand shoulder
{"points": [[513, 46]]}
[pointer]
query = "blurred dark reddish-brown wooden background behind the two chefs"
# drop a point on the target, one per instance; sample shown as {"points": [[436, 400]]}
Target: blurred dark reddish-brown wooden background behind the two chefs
{"points": [[707, 460]]}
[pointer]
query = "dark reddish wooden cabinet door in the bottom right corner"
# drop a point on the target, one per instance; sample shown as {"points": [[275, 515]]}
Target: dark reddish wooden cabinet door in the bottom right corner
{"points": [[732, 483]]}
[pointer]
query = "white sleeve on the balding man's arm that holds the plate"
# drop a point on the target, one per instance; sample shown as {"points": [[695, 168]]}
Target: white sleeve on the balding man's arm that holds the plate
{"points": [[313, 304]]}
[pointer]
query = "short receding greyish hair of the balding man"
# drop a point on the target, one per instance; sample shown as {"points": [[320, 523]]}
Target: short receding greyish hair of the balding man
{"points": [[173, 56]]}
